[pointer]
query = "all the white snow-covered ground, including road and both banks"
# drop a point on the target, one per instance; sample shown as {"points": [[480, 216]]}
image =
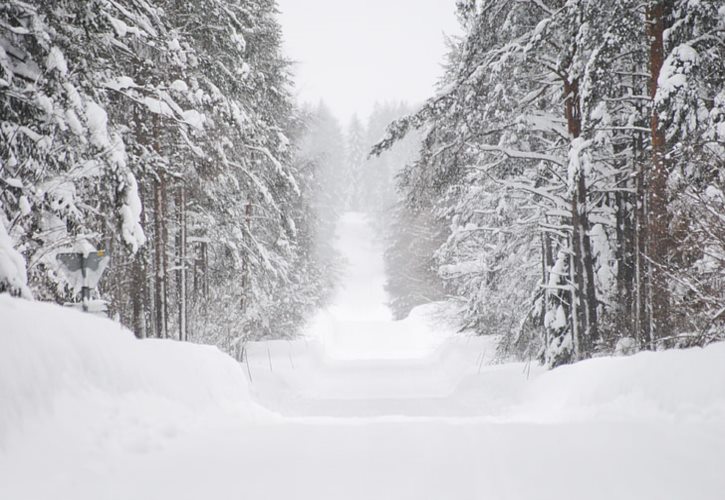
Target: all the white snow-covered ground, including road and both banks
{"points": [[363, 408]]}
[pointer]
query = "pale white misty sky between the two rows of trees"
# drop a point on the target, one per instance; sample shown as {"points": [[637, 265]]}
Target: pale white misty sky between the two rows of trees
{"points": [[351, 53]]}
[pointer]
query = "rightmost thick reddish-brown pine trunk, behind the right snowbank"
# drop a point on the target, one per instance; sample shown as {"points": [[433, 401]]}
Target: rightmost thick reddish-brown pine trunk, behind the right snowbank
{"points": [[658, 221]]}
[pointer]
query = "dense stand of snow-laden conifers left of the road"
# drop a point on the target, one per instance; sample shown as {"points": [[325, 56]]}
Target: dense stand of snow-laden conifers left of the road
{"points": [[165, 115]]}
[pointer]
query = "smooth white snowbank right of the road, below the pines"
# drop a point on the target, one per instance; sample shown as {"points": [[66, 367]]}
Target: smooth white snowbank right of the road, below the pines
{"points": [[681, 385]]}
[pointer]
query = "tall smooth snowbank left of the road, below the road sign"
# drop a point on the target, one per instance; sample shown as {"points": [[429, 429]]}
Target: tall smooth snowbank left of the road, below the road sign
{"points": [[60, 363]]}
